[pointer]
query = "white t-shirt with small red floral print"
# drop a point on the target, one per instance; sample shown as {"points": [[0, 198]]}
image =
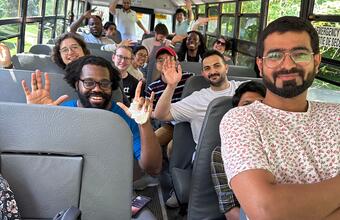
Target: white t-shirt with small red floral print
{"points": [[296, 147]]}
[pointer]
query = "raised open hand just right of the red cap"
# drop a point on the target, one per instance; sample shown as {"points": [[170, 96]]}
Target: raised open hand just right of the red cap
{"points": [[172, 74]]}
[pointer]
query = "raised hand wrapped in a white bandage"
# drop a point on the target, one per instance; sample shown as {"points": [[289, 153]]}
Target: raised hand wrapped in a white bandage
{"points": [[141, 108]]}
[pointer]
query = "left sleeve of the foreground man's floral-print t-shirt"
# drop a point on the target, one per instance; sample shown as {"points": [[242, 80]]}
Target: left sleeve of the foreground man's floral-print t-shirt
{"points": [[241, 143]]}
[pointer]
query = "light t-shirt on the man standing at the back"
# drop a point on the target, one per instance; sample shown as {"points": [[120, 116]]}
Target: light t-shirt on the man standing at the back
{"points": [[126, 24]]}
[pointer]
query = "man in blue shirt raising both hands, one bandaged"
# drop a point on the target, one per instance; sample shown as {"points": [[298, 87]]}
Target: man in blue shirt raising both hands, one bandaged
{"points": [[94, 79]]}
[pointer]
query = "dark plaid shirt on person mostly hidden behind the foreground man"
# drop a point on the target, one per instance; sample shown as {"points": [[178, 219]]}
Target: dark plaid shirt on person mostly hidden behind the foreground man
{"points": [[226, 198]]}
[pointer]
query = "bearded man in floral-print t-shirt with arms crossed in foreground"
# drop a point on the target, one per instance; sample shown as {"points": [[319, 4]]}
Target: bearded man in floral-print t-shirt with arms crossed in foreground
{"points": [[281, 155]]}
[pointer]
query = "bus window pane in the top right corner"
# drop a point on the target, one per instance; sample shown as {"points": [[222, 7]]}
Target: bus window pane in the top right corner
{"points": [[327, 7]]}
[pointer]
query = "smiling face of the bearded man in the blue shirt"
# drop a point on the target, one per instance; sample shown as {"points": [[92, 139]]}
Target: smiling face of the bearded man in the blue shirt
{"points": [[96, 97]]}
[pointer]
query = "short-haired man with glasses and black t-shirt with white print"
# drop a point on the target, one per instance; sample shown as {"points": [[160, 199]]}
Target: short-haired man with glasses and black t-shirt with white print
{"points": [[122, 60]]}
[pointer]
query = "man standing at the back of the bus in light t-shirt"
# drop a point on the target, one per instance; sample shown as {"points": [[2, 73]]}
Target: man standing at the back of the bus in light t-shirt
{"points": [[126, 19]]}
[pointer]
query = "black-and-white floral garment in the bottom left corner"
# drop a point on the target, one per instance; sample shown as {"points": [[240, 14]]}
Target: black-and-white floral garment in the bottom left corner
{"points": [[8, 206]]}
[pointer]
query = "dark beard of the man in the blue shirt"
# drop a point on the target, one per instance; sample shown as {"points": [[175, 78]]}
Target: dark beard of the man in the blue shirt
{"points": [[84, 99]]}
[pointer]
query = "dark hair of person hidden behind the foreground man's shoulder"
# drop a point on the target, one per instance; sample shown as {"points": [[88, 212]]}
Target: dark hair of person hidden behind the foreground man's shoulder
{"points": [[250, 86]]}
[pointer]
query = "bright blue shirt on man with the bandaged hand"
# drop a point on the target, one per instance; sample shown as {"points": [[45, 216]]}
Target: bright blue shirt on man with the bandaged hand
{"points": [[131, 123]]}
